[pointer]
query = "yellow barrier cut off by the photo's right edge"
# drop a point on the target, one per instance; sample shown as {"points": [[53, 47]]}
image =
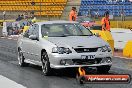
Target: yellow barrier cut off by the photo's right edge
{"points": [[127, 51]]}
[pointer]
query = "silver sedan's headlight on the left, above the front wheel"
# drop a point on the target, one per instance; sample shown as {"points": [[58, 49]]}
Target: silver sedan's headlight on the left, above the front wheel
{"points": [[61, 50]]}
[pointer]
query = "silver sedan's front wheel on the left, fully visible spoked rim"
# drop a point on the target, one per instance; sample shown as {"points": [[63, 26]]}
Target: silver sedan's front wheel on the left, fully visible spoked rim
{"points": [[45, 64]]}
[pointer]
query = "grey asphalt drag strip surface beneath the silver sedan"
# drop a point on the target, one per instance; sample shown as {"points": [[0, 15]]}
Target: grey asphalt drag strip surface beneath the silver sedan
{"points": [[32, 77]]}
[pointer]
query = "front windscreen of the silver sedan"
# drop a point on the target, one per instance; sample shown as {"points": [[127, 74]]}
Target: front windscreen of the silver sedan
{"points": [[63, 30]]}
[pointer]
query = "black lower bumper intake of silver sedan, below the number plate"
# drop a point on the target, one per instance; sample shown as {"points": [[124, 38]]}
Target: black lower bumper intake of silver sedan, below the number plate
{"points": [[86, 61]]}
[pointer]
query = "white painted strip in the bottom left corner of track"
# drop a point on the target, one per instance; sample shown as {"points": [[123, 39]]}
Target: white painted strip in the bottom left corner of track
{"points": [[7, 83]]}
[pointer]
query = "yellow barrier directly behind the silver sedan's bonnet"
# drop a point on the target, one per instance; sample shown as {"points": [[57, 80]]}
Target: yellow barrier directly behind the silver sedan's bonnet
{"points": [[105, 35]]}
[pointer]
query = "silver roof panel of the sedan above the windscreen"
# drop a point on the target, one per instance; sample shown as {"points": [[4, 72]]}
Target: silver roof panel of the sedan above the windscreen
{"points": [[53, 22]]}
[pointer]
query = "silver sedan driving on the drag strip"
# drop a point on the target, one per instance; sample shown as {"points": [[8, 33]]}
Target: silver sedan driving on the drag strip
{"points": [[63, 44]]}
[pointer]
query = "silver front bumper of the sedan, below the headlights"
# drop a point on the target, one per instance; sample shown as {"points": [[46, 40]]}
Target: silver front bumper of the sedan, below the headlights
{"points": [[55, 60]]}
